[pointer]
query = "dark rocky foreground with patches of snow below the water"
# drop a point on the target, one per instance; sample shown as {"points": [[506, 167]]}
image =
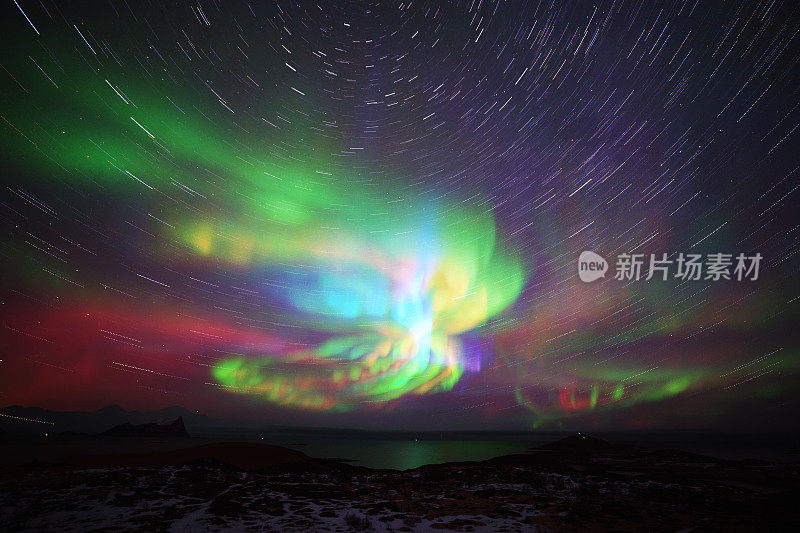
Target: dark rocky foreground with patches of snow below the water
{"points": [[576, 484]]}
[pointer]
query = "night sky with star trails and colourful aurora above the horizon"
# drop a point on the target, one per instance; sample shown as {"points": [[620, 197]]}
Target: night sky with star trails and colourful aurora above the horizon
{"points": [[370, 215]]}
